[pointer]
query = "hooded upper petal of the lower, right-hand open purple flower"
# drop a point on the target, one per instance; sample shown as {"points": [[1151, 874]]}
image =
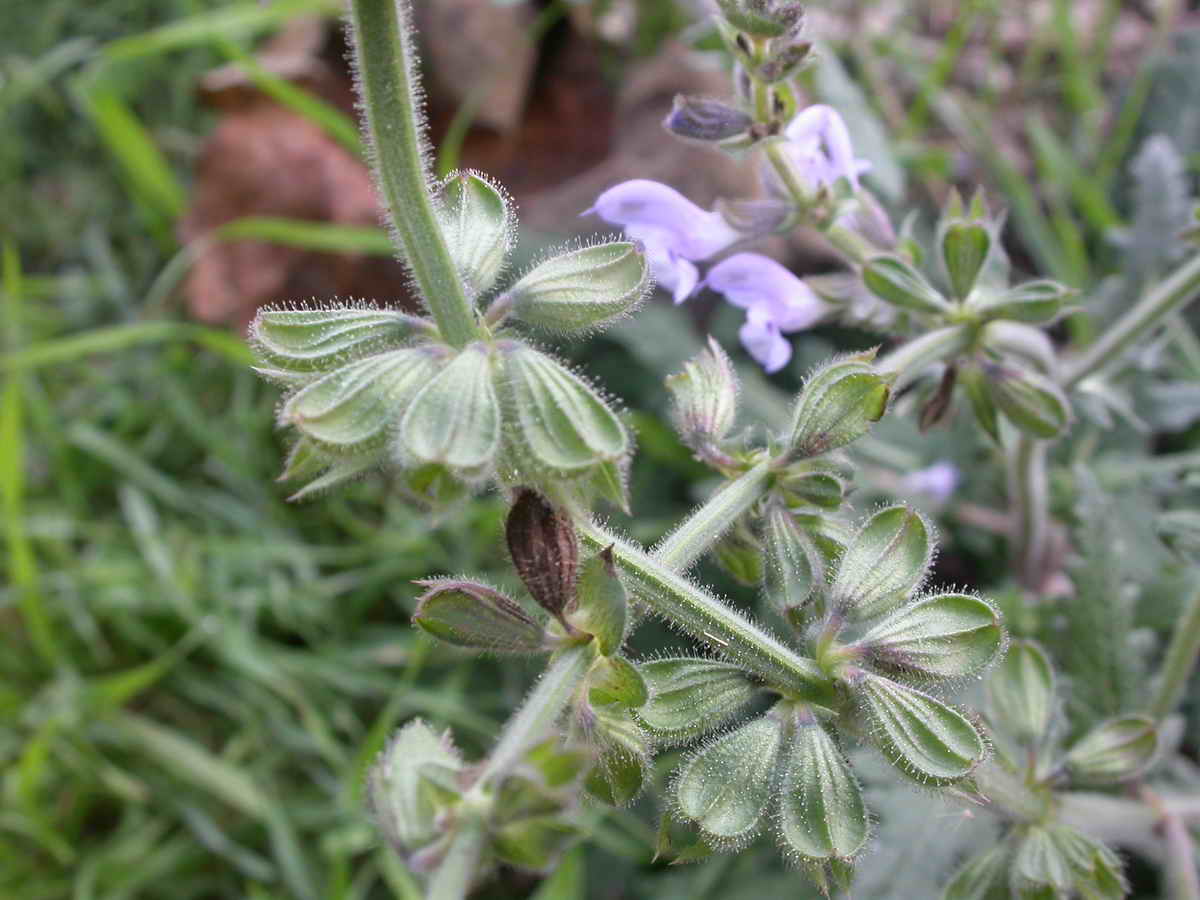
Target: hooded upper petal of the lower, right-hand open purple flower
{"points": [[754, 281]]}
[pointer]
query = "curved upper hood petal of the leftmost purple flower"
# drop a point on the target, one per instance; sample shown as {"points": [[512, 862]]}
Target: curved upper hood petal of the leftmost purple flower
{"points": [[693, 233]]}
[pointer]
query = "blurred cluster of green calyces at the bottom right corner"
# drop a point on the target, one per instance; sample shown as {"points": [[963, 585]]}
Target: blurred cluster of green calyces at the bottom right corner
{"points": [[1037, 855]]}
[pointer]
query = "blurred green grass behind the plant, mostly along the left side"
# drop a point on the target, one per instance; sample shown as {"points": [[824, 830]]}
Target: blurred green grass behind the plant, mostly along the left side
{"points": [[195, 674]]}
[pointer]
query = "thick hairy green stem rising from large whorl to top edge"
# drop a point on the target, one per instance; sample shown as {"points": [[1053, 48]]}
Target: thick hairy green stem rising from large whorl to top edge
{"points": [[389, 91]]}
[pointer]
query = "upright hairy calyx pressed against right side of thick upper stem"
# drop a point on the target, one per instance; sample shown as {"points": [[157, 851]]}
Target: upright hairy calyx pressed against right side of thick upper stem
{"points": [[479, 227]]}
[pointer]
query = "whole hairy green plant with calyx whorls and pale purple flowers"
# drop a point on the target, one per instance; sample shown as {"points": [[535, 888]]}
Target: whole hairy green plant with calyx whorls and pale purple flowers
{"points": [[855, 649]]}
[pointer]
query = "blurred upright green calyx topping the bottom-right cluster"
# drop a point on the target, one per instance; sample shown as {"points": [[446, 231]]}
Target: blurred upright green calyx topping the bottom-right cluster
{"points": [[1022, 694]]}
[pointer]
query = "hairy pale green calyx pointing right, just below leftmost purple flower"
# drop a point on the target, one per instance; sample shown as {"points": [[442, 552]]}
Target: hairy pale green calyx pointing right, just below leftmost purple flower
{"points": [[584, 290]]}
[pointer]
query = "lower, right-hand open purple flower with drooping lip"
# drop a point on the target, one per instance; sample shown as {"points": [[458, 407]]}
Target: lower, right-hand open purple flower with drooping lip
{"points": [[776, 302]]}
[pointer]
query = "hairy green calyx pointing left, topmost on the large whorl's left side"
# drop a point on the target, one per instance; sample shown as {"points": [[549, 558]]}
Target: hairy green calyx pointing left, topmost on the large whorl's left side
{"points": [[320, 340]]}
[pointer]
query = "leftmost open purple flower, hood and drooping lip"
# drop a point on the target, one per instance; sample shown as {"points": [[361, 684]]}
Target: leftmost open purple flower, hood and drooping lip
{"points": [[674, 230]]}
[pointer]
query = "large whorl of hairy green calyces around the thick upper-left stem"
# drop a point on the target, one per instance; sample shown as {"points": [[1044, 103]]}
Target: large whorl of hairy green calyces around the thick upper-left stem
{"points": [[371, 388]]}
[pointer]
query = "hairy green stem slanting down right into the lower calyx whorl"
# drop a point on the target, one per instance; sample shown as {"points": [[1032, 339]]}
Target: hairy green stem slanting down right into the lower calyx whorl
{"points": [[710, 621]]}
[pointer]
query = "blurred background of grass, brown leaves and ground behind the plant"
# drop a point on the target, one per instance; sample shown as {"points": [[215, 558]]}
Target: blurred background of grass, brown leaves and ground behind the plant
{"points": [[195, 673]]}
